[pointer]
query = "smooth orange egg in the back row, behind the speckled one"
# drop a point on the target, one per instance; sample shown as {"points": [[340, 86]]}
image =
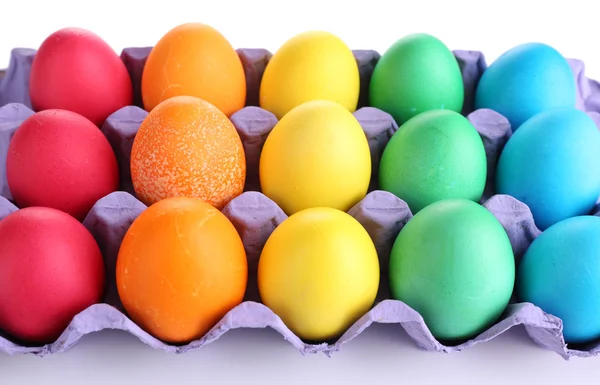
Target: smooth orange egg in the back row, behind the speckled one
{"points": [[196, 60]]}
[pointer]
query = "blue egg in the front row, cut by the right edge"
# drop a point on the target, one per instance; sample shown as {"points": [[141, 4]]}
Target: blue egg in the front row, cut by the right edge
{"points": [[560, 273]]}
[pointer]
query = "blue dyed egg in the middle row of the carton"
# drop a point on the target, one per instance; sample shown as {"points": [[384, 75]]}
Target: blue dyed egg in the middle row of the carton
{"points": [[551, 164]]}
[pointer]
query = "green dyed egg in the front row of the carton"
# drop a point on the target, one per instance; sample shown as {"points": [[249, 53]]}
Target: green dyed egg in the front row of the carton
{"points": [[453, 263]]}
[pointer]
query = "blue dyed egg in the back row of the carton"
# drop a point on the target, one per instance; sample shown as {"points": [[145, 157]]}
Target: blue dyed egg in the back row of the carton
{"points": [[526, 80]]}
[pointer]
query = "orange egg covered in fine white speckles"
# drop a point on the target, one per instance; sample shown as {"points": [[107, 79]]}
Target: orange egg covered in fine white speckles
{"points": [[187, 147]]}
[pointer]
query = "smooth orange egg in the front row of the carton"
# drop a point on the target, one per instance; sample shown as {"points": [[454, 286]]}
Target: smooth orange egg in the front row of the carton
{"points": [[181, 267]]}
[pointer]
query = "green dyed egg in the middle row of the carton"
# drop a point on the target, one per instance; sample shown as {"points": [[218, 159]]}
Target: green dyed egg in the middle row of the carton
{"points": [[436, 155]]}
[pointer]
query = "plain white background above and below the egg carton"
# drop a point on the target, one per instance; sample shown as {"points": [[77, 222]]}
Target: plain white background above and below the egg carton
{"points": [[383, 354]]}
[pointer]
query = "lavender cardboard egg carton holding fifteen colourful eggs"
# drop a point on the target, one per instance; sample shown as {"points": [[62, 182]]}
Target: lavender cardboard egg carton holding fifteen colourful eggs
{"points": [[255, 216]]}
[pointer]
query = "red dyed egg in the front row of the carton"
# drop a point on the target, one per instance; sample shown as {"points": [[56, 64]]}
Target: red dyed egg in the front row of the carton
{"points": [[51, 269]]}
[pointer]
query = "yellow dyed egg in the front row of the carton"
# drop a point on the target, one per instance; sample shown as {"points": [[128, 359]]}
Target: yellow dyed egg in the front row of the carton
{"points": [[319, 272]]}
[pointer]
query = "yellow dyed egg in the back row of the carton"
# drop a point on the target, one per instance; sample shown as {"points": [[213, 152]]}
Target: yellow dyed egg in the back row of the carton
{"points": [[314, 65]]}
